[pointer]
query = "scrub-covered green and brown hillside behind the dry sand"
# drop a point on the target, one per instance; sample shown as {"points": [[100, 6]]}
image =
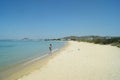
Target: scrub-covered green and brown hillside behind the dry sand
{"points": [[115, 41]]}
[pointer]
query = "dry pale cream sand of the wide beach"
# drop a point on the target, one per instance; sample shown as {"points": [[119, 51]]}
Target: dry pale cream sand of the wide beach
{"points": [[81, 61]]}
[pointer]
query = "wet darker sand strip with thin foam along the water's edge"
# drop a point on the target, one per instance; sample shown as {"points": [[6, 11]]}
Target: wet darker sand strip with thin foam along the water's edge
{"points": [[29, 66]]}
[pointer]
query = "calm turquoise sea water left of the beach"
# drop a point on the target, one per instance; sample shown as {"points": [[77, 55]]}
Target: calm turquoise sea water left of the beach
{"points": [[15, 52]]}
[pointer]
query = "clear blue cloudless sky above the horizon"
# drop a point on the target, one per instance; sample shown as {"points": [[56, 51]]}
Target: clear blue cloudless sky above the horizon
{"points": [[58, 18]]}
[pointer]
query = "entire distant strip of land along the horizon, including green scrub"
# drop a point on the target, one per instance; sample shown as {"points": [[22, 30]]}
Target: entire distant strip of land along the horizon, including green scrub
{"points": [[112, 40]]}
